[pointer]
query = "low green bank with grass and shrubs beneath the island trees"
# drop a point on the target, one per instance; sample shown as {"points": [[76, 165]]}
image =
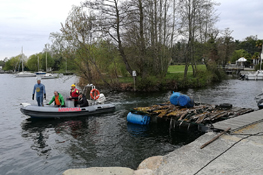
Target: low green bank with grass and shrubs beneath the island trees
{"points": [[174, 80]]}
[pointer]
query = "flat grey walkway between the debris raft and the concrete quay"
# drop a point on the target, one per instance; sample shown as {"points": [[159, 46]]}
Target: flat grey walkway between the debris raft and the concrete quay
{"points": [[240, 121]]}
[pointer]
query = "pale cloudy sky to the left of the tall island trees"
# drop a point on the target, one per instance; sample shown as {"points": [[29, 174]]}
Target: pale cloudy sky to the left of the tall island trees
{"points": [[28, 24]]}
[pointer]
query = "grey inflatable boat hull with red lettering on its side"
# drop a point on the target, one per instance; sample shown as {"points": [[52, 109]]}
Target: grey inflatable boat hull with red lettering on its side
{"points": [[65, 112]]}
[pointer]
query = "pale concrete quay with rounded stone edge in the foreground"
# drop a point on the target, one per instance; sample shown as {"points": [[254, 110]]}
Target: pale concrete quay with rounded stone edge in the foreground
{"points": [[239, 152]]}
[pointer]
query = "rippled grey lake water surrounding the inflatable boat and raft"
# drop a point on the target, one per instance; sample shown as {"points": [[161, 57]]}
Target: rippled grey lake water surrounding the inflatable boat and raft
{"points": [[52, 146]]}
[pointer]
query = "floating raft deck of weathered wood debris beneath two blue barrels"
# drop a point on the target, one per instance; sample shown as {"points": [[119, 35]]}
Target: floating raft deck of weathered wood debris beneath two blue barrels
{"points": [[199, 114]]}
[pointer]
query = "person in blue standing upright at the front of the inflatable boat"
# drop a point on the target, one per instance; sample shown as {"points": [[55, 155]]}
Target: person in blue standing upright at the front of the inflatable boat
{"points": [[40, 90]]}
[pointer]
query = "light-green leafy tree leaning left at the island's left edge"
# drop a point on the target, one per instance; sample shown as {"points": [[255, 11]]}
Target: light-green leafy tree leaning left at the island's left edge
{"points": [[78, 31]]}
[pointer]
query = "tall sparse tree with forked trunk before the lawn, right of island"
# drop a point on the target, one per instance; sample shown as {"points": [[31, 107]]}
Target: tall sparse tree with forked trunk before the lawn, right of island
{"points": [[196, 18]]}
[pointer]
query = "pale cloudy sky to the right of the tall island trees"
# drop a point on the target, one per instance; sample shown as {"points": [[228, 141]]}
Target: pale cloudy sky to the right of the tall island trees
{"points": [[242, 16]]}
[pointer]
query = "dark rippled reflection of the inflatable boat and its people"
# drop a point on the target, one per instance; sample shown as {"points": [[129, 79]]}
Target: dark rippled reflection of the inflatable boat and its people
{"points": [[48, 135]]}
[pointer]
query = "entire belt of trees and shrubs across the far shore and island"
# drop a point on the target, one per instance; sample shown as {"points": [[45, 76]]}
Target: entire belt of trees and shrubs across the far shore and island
{"points": [[172, 49]]}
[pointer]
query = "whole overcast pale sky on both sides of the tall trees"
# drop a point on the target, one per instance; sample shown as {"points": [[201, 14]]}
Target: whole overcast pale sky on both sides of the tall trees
{"points": [[28, 23]]}
